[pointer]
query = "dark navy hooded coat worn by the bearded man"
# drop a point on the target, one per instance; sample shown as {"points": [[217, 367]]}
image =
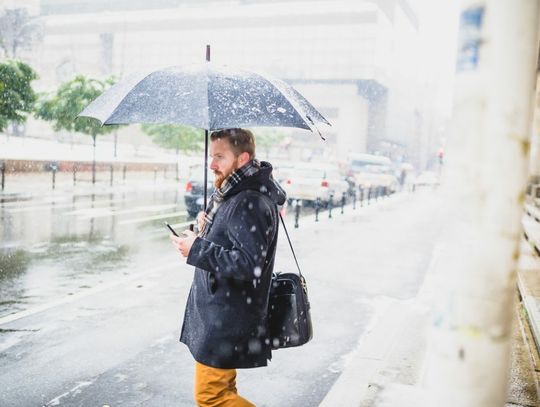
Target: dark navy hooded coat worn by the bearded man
{"points": [[225, 321]]}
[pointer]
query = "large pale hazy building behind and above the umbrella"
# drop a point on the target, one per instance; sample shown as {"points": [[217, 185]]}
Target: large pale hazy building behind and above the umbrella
{"points": [[356, 61]]}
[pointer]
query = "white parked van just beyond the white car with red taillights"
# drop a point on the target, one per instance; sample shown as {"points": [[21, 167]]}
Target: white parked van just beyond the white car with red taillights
{"points": [[373, 171]]}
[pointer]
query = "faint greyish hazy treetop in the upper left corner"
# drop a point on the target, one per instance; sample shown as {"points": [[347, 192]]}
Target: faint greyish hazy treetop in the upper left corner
{"points": [[17, 30]]}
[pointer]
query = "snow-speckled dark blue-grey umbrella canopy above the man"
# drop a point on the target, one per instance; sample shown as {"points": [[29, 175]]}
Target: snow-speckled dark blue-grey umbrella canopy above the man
{"points": [[204, 96]]}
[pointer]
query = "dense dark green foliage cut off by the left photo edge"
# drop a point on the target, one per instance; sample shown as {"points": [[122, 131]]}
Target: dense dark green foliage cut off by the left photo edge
{"points": [[16, 94]]}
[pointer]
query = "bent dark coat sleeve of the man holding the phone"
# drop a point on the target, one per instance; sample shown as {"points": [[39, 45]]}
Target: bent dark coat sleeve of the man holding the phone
{"points": [[251, 228]]}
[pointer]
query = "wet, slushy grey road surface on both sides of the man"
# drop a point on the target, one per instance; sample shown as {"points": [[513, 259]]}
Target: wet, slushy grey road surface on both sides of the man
{"points": [[100, 294]]}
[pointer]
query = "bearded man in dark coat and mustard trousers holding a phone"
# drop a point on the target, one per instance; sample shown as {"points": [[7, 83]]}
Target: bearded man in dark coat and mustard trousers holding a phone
{"points": [[225, 320]]}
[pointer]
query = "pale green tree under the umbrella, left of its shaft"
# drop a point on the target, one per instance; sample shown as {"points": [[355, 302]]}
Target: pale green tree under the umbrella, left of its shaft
{"points": [[179, 138]]}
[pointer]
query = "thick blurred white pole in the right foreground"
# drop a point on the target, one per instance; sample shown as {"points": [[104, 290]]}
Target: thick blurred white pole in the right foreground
{"points": [[485, 175]]}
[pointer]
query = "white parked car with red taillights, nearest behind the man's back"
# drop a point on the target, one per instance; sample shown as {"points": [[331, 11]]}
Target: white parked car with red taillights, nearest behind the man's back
{"points": [[309, 181]]}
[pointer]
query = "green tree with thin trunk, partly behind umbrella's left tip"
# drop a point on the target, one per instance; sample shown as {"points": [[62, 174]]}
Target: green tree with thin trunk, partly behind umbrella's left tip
{"points": [[61, 108]]}
